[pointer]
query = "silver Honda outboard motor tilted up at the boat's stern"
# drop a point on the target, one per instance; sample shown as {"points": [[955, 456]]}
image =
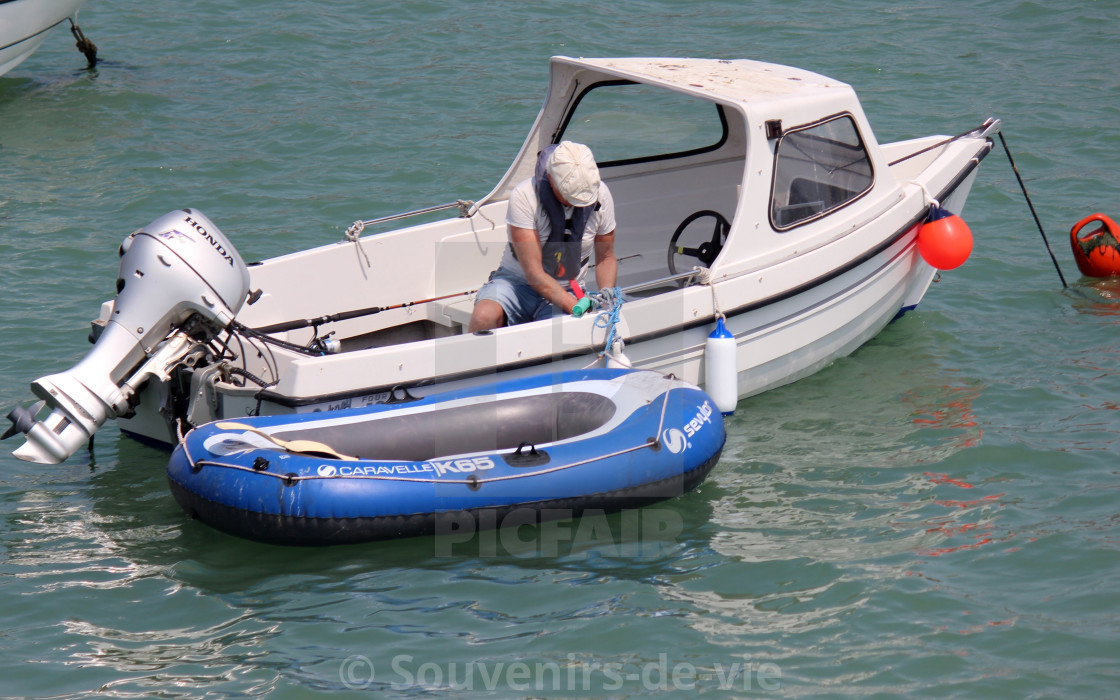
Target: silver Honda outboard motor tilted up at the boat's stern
{"points": [[180, 268]]}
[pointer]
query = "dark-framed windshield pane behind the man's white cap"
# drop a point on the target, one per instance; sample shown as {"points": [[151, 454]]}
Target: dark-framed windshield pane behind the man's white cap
{"points": [[627, 123]]}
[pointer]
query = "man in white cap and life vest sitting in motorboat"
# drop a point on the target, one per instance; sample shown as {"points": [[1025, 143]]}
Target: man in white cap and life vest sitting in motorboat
{"points": [[557, 219]]}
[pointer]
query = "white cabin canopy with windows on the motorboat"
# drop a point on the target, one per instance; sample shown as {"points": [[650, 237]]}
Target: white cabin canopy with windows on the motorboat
{"points": [[770, 148]]}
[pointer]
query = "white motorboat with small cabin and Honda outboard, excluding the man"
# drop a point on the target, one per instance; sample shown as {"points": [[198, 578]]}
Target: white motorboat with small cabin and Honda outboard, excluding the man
{"points": [[744, 191]]}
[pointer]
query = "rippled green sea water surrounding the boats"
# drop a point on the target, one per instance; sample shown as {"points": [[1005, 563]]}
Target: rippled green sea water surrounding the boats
{"points": [[936, 517]]}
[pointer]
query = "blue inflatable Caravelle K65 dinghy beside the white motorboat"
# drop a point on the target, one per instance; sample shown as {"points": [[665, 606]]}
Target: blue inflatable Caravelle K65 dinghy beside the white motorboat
{"points": [[558, 445]]}
